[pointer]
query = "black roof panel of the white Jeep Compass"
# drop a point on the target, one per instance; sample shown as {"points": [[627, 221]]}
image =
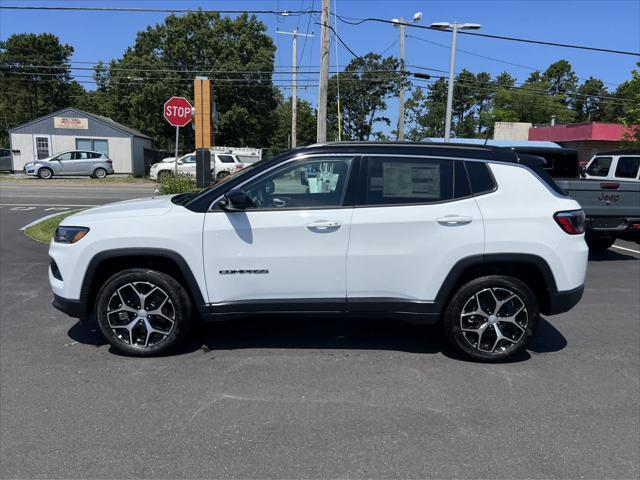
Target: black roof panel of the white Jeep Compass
{"points": [[485, 152]]}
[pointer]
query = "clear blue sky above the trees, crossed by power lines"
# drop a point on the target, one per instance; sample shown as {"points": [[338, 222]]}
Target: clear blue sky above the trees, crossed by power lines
{"points": [[602, 23]]}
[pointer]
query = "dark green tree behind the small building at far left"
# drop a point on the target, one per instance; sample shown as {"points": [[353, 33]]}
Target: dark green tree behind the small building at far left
{"points": [[34, 80]]}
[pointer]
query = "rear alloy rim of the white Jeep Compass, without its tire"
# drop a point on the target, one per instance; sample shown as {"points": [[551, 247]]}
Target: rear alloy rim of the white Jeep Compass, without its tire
{"points": [[494, 320]]}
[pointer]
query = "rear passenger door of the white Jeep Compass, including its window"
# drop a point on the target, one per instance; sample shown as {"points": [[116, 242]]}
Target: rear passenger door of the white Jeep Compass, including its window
{"points": [[414, 220]]}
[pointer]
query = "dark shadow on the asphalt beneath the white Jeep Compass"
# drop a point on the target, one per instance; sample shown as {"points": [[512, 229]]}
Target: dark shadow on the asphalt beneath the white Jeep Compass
{"points": [[332, 333]]}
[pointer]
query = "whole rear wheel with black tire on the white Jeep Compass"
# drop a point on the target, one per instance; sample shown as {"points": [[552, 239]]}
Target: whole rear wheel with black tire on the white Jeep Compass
{"points": [[517, 330]]}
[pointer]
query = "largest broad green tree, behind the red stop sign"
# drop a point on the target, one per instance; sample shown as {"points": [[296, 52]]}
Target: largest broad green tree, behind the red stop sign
{"points": [[164, 60]]}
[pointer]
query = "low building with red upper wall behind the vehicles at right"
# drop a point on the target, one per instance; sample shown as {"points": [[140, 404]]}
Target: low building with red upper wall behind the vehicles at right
{"points": [[587, 138]]}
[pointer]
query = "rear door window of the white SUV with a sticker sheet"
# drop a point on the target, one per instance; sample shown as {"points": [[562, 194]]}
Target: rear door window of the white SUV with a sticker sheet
{"points": [[396, 181]]}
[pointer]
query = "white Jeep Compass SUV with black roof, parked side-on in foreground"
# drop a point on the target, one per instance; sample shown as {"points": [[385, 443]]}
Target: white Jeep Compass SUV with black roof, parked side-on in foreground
{"points": [[477, 238]]}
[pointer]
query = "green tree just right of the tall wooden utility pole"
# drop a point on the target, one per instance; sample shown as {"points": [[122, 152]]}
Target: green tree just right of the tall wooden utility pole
{"points": [[365, 85]]}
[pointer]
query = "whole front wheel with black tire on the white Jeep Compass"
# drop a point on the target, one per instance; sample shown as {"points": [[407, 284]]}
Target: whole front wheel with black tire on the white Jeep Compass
{"points": [[126, 286]]}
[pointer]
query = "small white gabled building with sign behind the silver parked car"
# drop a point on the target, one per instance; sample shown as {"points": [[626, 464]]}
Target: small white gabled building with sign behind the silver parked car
{"points": [[73, 129]]}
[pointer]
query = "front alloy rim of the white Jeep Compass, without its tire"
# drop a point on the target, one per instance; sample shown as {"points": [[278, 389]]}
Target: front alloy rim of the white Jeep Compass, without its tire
{"points": [[141, 314]]}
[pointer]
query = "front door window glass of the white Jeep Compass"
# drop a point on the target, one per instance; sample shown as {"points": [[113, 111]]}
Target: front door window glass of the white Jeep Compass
{"points": [[307, 184]]}
